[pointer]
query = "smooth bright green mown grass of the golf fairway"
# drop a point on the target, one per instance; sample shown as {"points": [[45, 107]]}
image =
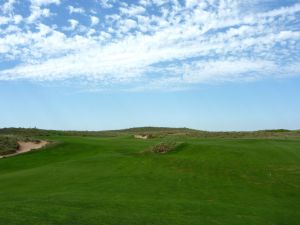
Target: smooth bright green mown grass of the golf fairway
{"points": [[107, 181]]}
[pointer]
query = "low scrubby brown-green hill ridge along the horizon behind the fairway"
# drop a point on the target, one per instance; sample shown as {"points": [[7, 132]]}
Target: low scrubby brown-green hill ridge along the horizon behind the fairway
{"points": [[154, 131]]}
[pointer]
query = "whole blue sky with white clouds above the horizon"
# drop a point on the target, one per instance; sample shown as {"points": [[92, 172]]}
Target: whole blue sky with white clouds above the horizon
{"points": [[108, 64]]}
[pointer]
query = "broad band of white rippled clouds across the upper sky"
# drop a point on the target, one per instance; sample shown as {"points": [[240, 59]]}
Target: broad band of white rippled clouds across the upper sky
{"points": [[154, 44]]}
